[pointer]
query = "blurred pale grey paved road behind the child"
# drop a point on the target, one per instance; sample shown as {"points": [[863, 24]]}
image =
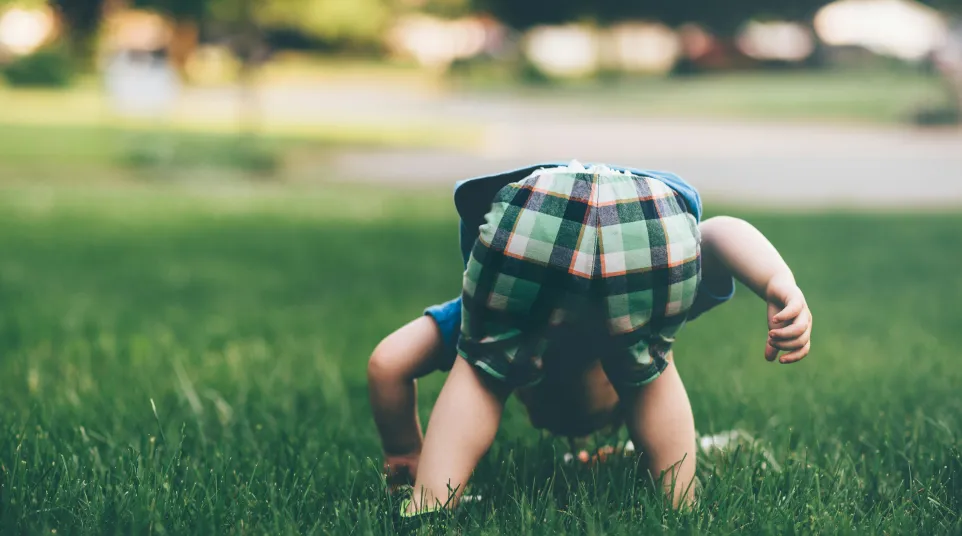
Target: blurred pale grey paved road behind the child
{"points": [[777, 163]]}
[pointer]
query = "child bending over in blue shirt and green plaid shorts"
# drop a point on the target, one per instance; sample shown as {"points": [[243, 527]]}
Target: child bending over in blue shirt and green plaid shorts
{"points": [[577, 281]]}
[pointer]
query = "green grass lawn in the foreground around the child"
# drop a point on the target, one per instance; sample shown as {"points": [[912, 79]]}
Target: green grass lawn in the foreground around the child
{"points": [[193, 362]]}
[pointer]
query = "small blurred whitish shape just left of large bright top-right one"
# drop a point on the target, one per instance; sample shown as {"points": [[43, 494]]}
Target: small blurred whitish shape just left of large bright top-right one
{"points": [[780, 40]]}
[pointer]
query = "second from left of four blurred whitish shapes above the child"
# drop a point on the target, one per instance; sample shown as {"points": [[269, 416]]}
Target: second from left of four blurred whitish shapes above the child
{"points": [[564, 51]]}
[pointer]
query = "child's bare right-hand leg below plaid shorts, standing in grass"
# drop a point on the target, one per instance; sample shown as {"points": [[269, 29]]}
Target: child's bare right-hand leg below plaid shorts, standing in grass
{"points": [[662, 427]]}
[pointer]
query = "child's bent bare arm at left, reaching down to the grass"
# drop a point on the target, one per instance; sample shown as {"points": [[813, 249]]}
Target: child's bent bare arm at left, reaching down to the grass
{"points": [[401, 358]]}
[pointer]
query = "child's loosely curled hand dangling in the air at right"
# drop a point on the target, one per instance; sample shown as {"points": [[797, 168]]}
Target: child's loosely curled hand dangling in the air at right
{"points": [[789, 321]]}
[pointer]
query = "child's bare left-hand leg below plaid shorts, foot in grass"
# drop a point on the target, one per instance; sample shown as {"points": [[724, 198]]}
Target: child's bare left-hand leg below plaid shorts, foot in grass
{"points": [[462, 427]]}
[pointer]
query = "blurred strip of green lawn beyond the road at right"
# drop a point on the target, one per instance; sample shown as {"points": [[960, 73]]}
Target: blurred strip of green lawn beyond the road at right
{"points": [[862, 96]]}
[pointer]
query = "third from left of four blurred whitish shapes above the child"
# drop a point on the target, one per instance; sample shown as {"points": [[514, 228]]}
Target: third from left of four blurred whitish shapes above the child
{"points": [[641, 47]]}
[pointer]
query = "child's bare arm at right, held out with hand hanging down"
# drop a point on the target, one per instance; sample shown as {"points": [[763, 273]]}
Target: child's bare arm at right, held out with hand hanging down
{"points": [[733, 247]]}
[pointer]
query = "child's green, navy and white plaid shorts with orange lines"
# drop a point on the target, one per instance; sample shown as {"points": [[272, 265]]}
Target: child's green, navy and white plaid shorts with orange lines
{"points": [[563, 249]]}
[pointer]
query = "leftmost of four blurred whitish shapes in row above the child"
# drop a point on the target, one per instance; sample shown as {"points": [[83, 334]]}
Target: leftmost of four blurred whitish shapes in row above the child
{"points": [[435, 42]]}
